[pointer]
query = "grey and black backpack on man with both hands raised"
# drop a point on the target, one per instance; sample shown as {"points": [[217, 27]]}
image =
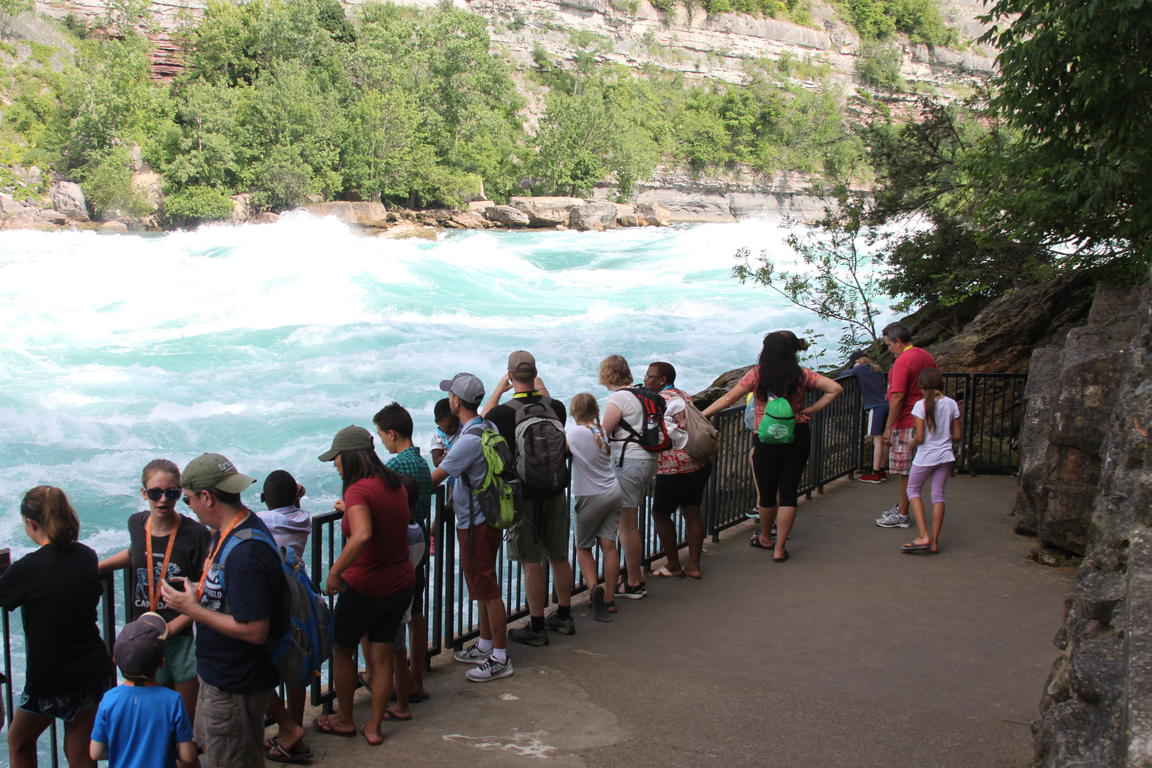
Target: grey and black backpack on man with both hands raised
{"points": [[542, 447]]}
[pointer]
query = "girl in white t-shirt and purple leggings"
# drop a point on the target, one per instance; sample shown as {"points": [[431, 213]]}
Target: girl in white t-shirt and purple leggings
{"points": [[937, 427]]}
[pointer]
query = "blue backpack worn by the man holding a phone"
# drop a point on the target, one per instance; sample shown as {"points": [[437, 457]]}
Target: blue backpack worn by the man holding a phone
{"points": [[301, 648]]}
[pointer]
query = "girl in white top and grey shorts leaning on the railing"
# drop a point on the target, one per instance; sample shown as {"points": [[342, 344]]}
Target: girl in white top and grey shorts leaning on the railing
{"points": [[597, 500]]}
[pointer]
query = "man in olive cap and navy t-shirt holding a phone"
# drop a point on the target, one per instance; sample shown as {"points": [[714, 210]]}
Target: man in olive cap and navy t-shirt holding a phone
{"points": [[236, 604]]}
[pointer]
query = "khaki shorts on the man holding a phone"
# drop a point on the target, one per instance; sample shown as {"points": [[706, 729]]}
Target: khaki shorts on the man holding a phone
{"points": [[230, 727]]}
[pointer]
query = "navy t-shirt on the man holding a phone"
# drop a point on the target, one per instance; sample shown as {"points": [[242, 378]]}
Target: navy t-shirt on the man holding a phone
{"points": [[253, 590]]}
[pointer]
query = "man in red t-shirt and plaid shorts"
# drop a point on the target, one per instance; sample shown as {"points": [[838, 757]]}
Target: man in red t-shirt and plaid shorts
{"points": [[904, 392]]}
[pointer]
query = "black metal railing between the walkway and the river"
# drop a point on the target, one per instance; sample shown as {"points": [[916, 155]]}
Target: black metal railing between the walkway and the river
{"points": [[992, 410]]}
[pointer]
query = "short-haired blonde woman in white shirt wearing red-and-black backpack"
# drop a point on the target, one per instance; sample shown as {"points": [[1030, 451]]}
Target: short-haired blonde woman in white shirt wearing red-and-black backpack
{"points": [[634, 466]]}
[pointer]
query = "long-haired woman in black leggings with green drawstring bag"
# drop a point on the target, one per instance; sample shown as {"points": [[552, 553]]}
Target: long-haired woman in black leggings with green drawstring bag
{"points": [[778, 468]]}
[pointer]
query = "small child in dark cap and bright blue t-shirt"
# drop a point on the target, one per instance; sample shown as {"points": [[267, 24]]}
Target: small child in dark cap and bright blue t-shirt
{"points": [[141, 725]]}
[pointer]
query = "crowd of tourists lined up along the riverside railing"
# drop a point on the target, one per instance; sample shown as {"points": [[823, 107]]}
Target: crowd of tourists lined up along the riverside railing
{"points": [[207, 590]]}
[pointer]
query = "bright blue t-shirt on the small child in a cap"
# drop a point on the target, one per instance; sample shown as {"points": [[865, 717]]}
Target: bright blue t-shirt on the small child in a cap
{"points": [[142, 725]]}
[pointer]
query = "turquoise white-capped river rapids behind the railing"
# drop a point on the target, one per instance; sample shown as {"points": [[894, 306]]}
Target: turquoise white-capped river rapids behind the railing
{"points": [[261, 343]]}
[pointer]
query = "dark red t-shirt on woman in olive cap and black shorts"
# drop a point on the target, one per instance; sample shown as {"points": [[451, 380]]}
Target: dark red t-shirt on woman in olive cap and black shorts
{"points": [[384, 567]]}
